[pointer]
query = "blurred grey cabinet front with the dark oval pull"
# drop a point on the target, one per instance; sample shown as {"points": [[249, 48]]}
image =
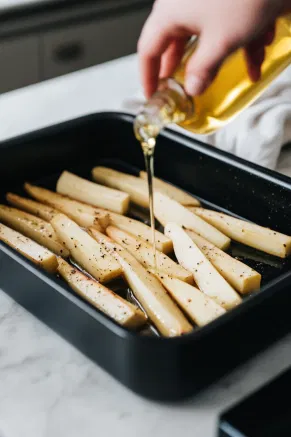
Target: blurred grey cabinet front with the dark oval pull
{"points": [[76, 47]]}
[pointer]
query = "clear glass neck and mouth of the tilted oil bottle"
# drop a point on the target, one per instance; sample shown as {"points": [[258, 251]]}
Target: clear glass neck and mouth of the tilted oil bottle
{"points": [[170, 104]]}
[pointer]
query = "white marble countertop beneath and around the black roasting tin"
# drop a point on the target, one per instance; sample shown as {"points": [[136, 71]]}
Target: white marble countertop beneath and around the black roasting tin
{"points": [[48, 389]]}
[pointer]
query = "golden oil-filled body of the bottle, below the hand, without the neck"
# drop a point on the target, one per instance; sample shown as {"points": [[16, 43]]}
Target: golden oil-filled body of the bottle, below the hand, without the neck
{"points": [[232, 90]]}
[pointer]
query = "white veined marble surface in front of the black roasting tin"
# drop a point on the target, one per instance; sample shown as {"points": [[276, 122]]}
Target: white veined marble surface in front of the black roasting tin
{"points": [[49, 389]]}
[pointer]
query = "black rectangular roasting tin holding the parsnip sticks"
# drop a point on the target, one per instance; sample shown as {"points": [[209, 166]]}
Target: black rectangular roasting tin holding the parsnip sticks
{"points": [[162, 369]]}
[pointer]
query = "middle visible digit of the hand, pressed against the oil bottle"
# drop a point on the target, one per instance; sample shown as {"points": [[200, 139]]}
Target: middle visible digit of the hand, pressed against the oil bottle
{"points": [[203, 65]]}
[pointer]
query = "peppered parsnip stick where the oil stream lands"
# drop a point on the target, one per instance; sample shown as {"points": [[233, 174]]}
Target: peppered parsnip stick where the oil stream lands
{"points": [[144, 253]]}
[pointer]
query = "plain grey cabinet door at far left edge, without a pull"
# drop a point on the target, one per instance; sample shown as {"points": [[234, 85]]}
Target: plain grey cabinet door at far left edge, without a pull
{"points": [[19, 61]]}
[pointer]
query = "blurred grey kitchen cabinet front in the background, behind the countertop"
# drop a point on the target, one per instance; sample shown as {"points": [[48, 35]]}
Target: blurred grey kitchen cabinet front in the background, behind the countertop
{"points": [[63, 42]]}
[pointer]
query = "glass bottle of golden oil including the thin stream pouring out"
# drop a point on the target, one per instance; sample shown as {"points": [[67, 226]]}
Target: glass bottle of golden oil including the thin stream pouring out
{"points": [[229, 94]]}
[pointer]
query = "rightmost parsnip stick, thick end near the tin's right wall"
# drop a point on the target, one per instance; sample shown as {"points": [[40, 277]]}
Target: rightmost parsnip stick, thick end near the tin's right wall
{"points": [[250, 234]]}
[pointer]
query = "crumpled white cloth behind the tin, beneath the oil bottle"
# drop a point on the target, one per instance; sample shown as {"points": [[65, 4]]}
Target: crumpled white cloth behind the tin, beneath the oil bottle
{"points": [[259, 132]]}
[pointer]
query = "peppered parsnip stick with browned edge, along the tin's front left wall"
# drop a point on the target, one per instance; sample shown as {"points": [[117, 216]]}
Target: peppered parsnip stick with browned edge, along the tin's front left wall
{"points": [[123, 312]]}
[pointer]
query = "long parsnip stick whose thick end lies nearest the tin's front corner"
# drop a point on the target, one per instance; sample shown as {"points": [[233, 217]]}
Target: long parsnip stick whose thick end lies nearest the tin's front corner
{"points": [[158, 305]]}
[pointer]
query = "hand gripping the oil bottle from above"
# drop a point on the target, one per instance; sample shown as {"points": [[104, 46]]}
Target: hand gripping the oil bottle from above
{"points": [[222, 26]]}
